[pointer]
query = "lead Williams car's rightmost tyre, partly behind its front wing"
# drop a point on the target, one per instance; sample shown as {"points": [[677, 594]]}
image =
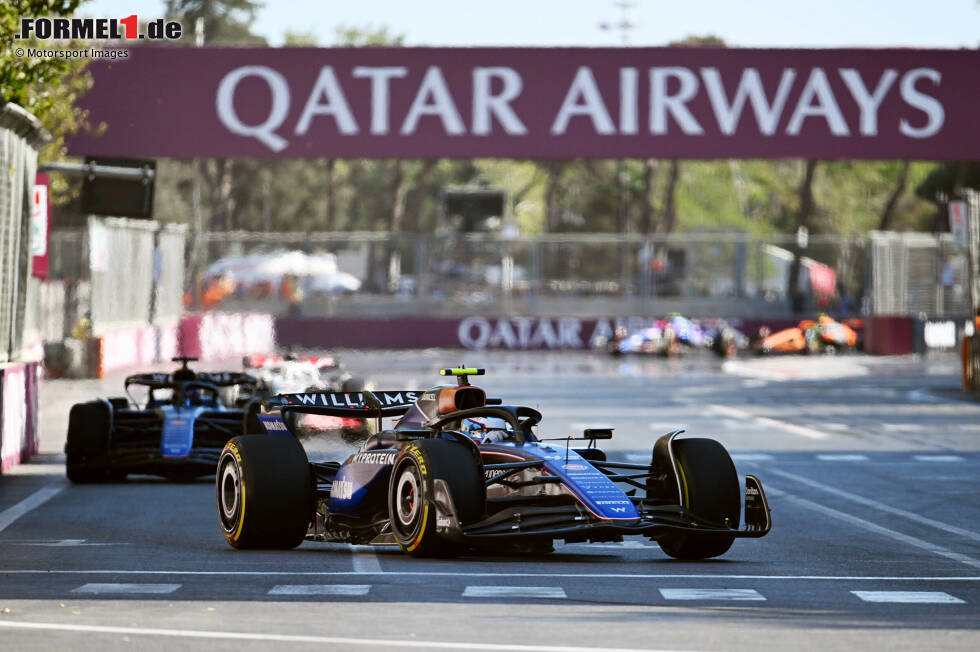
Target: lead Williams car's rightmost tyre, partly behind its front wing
{"points": [[711, 490]]}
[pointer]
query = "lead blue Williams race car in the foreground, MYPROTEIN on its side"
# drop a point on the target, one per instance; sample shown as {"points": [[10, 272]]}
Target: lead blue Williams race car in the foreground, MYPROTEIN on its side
{"points": [[459, 473]]}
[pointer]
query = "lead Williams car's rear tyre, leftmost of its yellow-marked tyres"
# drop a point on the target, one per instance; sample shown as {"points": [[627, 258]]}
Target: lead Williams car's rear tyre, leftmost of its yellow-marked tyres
{"points": [[264, 492]]}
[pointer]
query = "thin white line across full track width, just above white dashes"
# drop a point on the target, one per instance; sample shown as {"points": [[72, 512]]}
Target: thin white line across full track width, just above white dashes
{"points": [[465, 574]]}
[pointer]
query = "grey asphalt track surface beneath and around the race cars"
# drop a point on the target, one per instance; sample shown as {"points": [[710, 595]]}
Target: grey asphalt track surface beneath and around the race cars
{"points": [[870, 466]]}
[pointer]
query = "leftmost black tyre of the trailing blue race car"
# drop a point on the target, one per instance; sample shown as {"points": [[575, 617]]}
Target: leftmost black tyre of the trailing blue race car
{"points": [[87, 441]]}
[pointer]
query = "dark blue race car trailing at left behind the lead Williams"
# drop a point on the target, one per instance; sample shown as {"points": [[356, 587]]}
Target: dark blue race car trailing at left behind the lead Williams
{"points": [[177, 430]]}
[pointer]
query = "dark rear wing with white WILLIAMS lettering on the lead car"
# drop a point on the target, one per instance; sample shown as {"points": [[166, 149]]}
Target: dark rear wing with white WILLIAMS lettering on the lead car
{"points": [[341, 404]]}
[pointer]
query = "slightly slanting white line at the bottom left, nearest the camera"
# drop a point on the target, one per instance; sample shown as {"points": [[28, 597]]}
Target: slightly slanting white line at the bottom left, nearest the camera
{"points": [[296, 638]]}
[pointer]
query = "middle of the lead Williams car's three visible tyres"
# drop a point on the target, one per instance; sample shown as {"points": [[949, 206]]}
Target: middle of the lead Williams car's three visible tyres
{"points": [[411, 494]]}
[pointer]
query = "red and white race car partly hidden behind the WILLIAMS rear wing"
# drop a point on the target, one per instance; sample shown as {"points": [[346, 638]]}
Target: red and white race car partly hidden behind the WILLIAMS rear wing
{"points": [[289, 373]]}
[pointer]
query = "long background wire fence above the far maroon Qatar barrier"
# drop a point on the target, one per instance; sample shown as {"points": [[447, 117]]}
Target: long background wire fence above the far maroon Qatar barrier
{"points": [[561, 274]]}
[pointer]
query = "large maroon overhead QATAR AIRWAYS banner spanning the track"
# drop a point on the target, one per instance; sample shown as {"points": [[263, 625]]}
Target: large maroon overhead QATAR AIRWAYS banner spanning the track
{"points": [[535, 103]]}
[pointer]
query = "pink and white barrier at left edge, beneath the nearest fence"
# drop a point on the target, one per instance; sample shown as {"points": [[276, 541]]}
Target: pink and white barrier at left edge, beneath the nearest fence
{"points": [[18, 412]]}
